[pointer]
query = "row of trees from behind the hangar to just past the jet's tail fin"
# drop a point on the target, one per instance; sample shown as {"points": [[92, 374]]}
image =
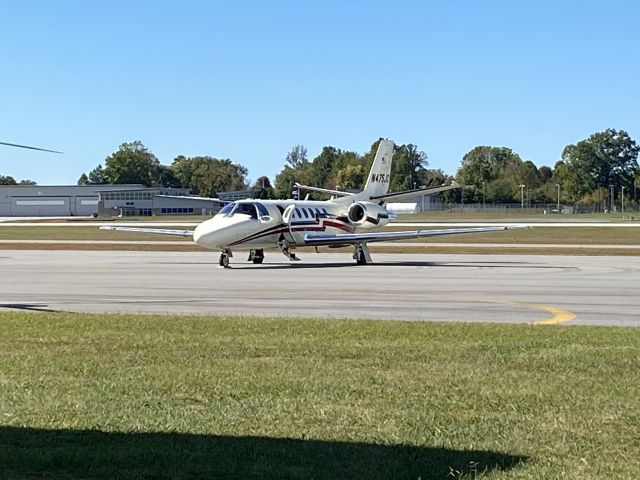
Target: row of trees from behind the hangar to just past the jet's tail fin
{"points": [[133, 163]]}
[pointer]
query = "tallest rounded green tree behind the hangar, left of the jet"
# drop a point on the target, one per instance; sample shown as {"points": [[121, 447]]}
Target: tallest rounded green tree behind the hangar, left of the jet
{"points": [[132, 163]]}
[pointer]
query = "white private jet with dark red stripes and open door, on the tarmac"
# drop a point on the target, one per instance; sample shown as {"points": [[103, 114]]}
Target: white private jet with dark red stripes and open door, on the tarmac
{"points": [[347, 219]]}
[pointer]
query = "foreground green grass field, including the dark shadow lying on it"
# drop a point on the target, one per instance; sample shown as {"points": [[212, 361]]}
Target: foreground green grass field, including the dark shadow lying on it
{"points": [[98, 396]]}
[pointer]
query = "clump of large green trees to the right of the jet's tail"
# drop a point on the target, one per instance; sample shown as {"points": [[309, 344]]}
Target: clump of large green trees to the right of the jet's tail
{"points": [[586, 174]]}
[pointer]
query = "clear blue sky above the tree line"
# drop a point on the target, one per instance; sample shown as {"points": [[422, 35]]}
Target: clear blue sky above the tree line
{"points": [[247, 80]]}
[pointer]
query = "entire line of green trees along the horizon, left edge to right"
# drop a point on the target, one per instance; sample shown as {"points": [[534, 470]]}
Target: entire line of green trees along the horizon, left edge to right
{"points": [[587, 172]]}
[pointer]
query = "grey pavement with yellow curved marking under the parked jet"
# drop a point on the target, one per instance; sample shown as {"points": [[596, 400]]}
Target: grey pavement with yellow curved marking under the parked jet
{"points": [[488, 288]]}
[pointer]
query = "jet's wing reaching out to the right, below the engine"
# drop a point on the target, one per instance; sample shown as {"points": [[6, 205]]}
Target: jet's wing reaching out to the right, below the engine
{"points": [[324, 239]]}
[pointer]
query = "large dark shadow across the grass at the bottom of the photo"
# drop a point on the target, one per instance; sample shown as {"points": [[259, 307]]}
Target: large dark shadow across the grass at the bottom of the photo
{"points": [[71, 454]]}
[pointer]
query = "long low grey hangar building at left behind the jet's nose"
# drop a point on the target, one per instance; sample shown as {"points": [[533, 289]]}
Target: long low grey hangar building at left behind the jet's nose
{"points": [[109, 200]]}
